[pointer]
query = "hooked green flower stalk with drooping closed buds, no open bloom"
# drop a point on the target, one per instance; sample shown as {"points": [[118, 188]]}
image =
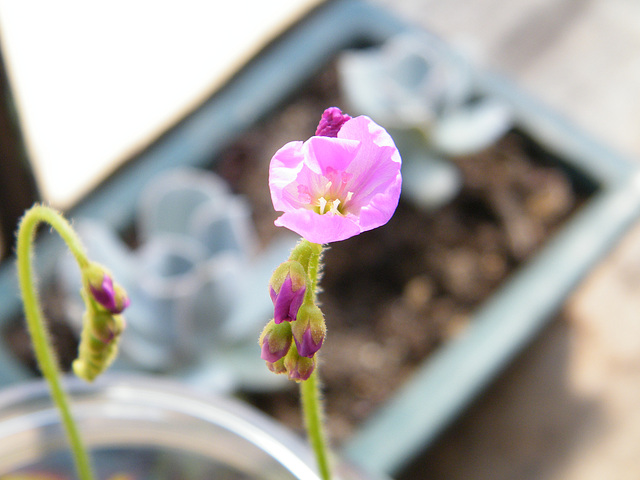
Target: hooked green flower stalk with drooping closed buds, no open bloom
{"points": [[102, 323]]}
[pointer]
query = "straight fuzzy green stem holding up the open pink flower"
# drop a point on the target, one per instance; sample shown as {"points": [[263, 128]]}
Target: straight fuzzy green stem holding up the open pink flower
{"points": [[312, 407]]}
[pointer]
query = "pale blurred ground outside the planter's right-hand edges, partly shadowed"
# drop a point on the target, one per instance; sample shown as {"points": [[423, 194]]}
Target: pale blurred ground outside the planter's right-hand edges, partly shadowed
{"points": [[568, 407]]}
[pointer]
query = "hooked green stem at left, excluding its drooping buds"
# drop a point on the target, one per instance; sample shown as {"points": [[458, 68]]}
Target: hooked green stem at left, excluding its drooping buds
{"points": [[33, 312]]}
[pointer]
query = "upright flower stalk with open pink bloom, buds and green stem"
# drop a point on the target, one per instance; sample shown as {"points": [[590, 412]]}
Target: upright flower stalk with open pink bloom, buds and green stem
{"points": [[341, 182]]}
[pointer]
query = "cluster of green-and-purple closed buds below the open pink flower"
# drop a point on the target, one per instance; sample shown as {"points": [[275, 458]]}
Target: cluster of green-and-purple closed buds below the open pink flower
{"points": [[290, 341]]}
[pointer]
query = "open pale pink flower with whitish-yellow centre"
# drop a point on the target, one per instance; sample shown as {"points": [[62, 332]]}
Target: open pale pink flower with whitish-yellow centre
{"points": [[331, 189]]}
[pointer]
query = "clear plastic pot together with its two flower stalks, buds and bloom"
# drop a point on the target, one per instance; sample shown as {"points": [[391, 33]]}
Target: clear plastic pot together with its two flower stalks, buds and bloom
{"points": [[343, 181]]}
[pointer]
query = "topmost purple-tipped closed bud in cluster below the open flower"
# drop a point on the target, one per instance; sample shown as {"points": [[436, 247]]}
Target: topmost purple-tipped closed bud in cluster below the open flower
{"points": [[287, 288]]}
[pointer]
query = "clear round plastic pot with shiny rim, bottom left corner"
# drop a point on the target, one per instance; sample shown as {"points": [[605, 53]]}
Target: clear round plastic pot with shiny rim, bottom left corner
{"points": [[149, 429]]}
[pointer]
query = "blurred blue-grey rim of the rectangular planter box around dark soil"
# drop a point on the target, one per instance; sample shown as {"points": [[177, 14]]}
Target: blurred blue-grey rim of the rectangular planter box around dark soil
{"points": [[450, 379]]}
